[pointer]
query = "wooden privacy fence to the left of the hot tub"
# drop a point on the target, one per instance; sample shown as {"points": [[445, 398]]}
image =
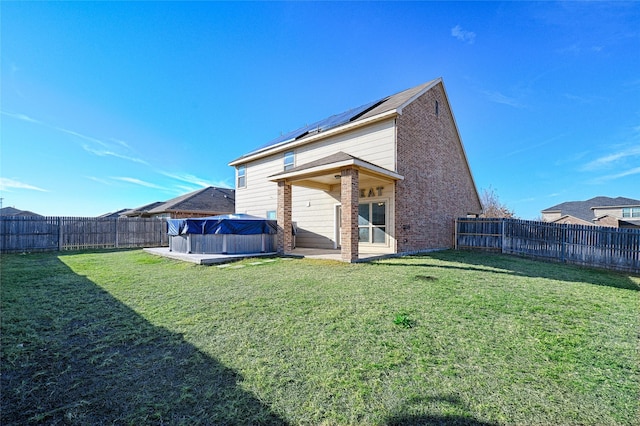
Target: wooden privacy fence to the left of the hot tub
{"points": [[28, 234]]}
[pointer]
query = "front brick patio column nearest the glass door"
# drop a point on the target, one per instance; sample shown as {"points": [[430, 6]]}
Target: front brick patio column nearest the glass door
{"points": [[349, 192]]}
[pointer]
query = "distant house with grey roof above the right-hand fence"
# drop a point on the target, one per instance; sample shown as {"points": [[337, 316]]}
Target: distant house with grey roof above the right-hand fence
{"points": [[617, 212]]}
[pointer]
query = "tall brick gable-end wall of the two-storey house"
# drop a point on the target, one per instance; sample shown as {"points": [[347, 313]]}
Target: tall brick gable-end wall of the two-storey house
{"points": [[437, 185]]}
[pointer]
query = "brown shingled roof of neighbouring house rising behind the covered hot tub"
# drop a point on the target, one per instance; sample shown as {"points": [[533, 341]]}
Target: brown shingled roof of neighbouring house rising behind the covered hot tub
{"points": [[206, 200]]}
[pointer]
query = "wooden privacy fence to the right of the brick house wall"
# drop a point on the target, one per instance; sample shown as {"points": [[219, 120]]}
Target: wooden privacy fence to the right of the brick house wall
{"points": [[610, 248]]}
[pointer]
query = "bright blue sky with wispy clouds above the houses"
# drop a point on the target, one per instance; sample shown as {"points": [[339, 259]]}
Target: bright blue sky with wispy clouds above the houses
{"points": [[110, 105]]}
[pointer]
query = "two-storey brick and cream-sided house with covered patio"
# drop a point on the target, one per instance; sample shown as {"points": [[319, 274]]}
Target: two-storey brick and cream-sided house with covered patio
{"points": [[387, 177]]}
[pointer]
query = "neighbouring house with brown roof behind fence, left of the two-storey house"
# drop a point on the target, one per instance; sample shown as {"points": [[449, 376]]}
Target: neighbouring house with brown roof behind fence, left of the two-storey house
{"points": [[210, 201]]}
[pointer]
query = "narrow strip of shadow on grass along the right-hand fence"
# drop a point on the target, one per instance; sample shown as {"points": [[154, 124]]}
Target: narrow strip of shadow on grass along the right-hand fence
{"points": [[513, 265]]}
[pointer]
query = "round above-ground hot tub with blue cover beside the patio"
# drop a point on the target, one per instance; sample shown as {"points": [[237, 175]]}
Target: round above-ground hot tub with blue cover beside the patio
{"points": [[226, 234]]}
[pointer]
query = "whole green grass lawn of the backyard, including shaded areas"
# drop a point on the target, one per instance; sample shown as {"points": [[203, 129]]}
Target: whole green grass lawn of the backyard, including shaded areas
{"points": [[448, 338]]}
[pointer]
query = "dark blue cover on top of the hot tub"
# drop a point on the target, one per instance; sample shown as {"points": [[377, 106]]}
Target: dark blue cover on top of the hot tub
{"points": [[238, 224]]}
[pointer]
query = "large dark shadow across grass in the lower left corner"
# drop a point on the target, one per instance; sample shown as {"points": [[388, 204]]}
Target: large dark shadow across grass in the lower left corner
{"points": [[73, 354]]}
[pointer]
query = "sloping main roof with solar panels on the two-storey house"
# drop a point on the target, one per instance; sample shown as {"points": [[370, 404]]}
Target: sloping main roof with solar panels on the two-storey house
{"points": [[361, 115]]}
